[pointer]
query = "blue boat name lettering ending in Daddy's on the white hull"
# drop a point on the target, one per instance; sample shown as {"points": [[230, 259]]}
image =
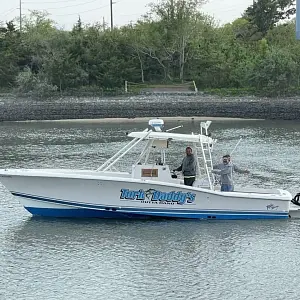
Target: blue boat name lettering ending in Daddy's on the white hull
{"points": [[154, 195]]}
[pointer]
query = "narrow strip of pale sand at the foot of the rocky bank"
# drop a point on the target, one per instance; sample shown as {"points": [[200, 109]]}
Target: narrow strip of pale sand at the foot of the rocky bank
{"points": [[136, 120]]}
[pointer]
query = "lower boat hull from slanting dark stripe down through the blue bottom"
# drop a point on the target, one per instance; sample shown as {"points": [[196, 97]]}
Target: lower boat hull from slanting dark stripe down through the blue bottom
{"points": [[40, 206]]}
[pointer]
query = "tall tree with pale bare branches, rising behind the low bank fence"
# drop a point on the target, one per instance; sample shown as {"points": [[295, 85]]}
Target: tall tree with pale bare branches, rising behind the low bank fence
{"points": [[168, 29]]}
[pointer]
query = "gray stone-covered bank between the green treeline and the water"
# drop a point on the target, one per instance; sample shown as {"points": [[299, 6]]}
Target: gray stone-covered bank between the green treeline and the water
{"points": [[140, 108]]}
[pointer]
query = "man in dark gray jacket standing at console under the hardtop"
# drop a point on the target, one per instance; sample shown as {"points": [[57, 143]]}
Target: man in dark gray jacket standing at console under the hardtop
{"points": [[188, 167]]}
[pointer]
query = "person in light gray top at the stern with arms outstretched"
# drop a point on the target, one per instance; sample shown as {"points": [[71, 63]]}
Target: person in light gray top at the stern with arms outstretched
{"points": [[226, 170]]}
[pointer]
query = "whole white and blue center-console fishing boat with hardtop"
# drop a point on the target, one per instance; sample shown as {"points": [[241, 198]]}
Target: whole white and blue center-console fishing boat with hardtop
{"points": [[150, 189]]}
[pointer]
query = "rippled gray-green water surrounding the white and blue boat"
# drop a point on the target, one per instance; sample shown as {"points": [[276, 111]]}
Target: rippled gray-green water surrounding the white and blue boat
{"points": [[108, 259]]}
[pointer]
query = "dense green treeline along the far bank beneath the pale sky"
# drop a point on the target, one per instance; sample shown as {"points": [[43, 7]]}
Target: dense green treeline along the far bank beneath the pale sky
{"points": [[175, 42]]}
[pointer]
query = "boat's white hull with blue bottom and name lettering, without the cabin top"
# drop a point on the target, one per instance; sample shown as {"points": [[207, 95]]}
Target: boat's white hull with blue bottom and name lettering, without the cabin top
{"points": [[65, 193]]}
